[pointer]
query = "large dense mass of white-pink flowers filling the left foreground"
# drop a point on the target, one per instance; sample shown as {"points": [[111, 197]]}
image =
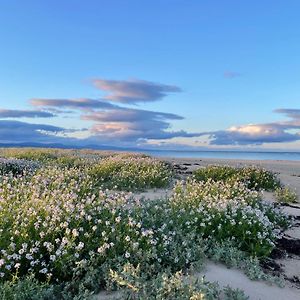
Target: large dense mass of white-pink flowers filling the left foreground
{"points": [[51, 222]]}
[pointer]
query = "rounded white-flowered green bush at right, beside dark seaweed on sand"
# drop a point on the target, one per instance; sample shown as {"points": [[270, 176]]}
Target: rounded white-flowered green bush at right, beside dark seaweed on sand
{"points": [[226, 210]]}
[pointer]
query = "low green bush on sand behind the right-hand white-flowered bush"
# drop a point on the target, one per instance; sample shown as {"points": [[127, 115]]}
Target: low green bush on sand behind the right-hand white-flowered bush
{"points": [[253, 177]]}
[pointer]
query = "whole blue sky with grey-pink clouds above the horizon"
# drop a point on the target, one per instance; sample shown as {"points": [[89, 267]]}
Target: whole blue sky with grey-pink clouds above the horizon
{"points": [[165, 74]]}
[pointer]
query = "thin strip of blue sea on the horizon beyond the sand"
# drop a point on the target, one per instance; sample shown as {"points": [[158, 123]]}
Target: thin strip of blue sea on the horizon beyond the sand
{"points": [[294, 156]]}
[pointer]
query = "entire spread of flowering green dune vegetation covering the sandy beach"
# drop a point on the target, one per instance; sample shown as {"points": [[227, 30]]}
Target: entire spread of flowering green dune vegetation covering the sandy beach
{"points": [[70, 226]]}
